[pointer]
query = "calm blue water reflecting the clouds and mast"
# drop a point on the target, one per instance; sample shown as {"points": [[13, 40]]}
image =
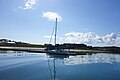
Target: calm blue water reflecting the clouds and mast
{"points": [[34, 66]]}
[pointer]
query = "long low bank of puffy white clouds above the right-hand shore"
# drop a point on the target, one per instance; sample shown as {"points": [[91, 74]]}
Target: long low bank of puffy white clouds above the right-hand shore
{"points": [[92, 38]]}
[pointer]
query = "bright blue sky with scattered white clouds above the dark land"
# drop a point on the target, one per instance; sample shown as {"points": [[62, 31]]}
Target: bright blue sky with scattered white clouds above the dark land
{"points": [[91, 22]]}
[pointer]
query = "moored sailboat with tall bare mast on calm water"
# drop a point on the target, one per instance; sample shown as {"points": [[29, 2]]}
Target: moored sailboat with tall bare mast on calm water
{"points": [[56, 51]]}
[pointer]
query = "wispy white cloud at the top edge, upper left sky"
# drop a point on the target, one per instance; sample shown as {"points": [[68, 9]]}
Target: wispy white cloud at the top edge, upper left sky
{"points": [[29, 4]]}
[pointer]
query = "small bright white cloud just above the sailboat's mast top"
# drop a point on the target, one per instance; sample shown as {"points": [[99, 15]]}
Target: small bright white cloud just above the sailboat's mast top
{"points": [[52, 16]]}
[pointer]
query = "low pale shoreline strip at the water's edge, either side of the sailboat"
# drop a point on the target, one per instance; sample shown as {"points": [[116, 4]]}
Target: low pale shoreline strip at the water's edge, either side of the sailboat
{"points": [[42, 50]]}
